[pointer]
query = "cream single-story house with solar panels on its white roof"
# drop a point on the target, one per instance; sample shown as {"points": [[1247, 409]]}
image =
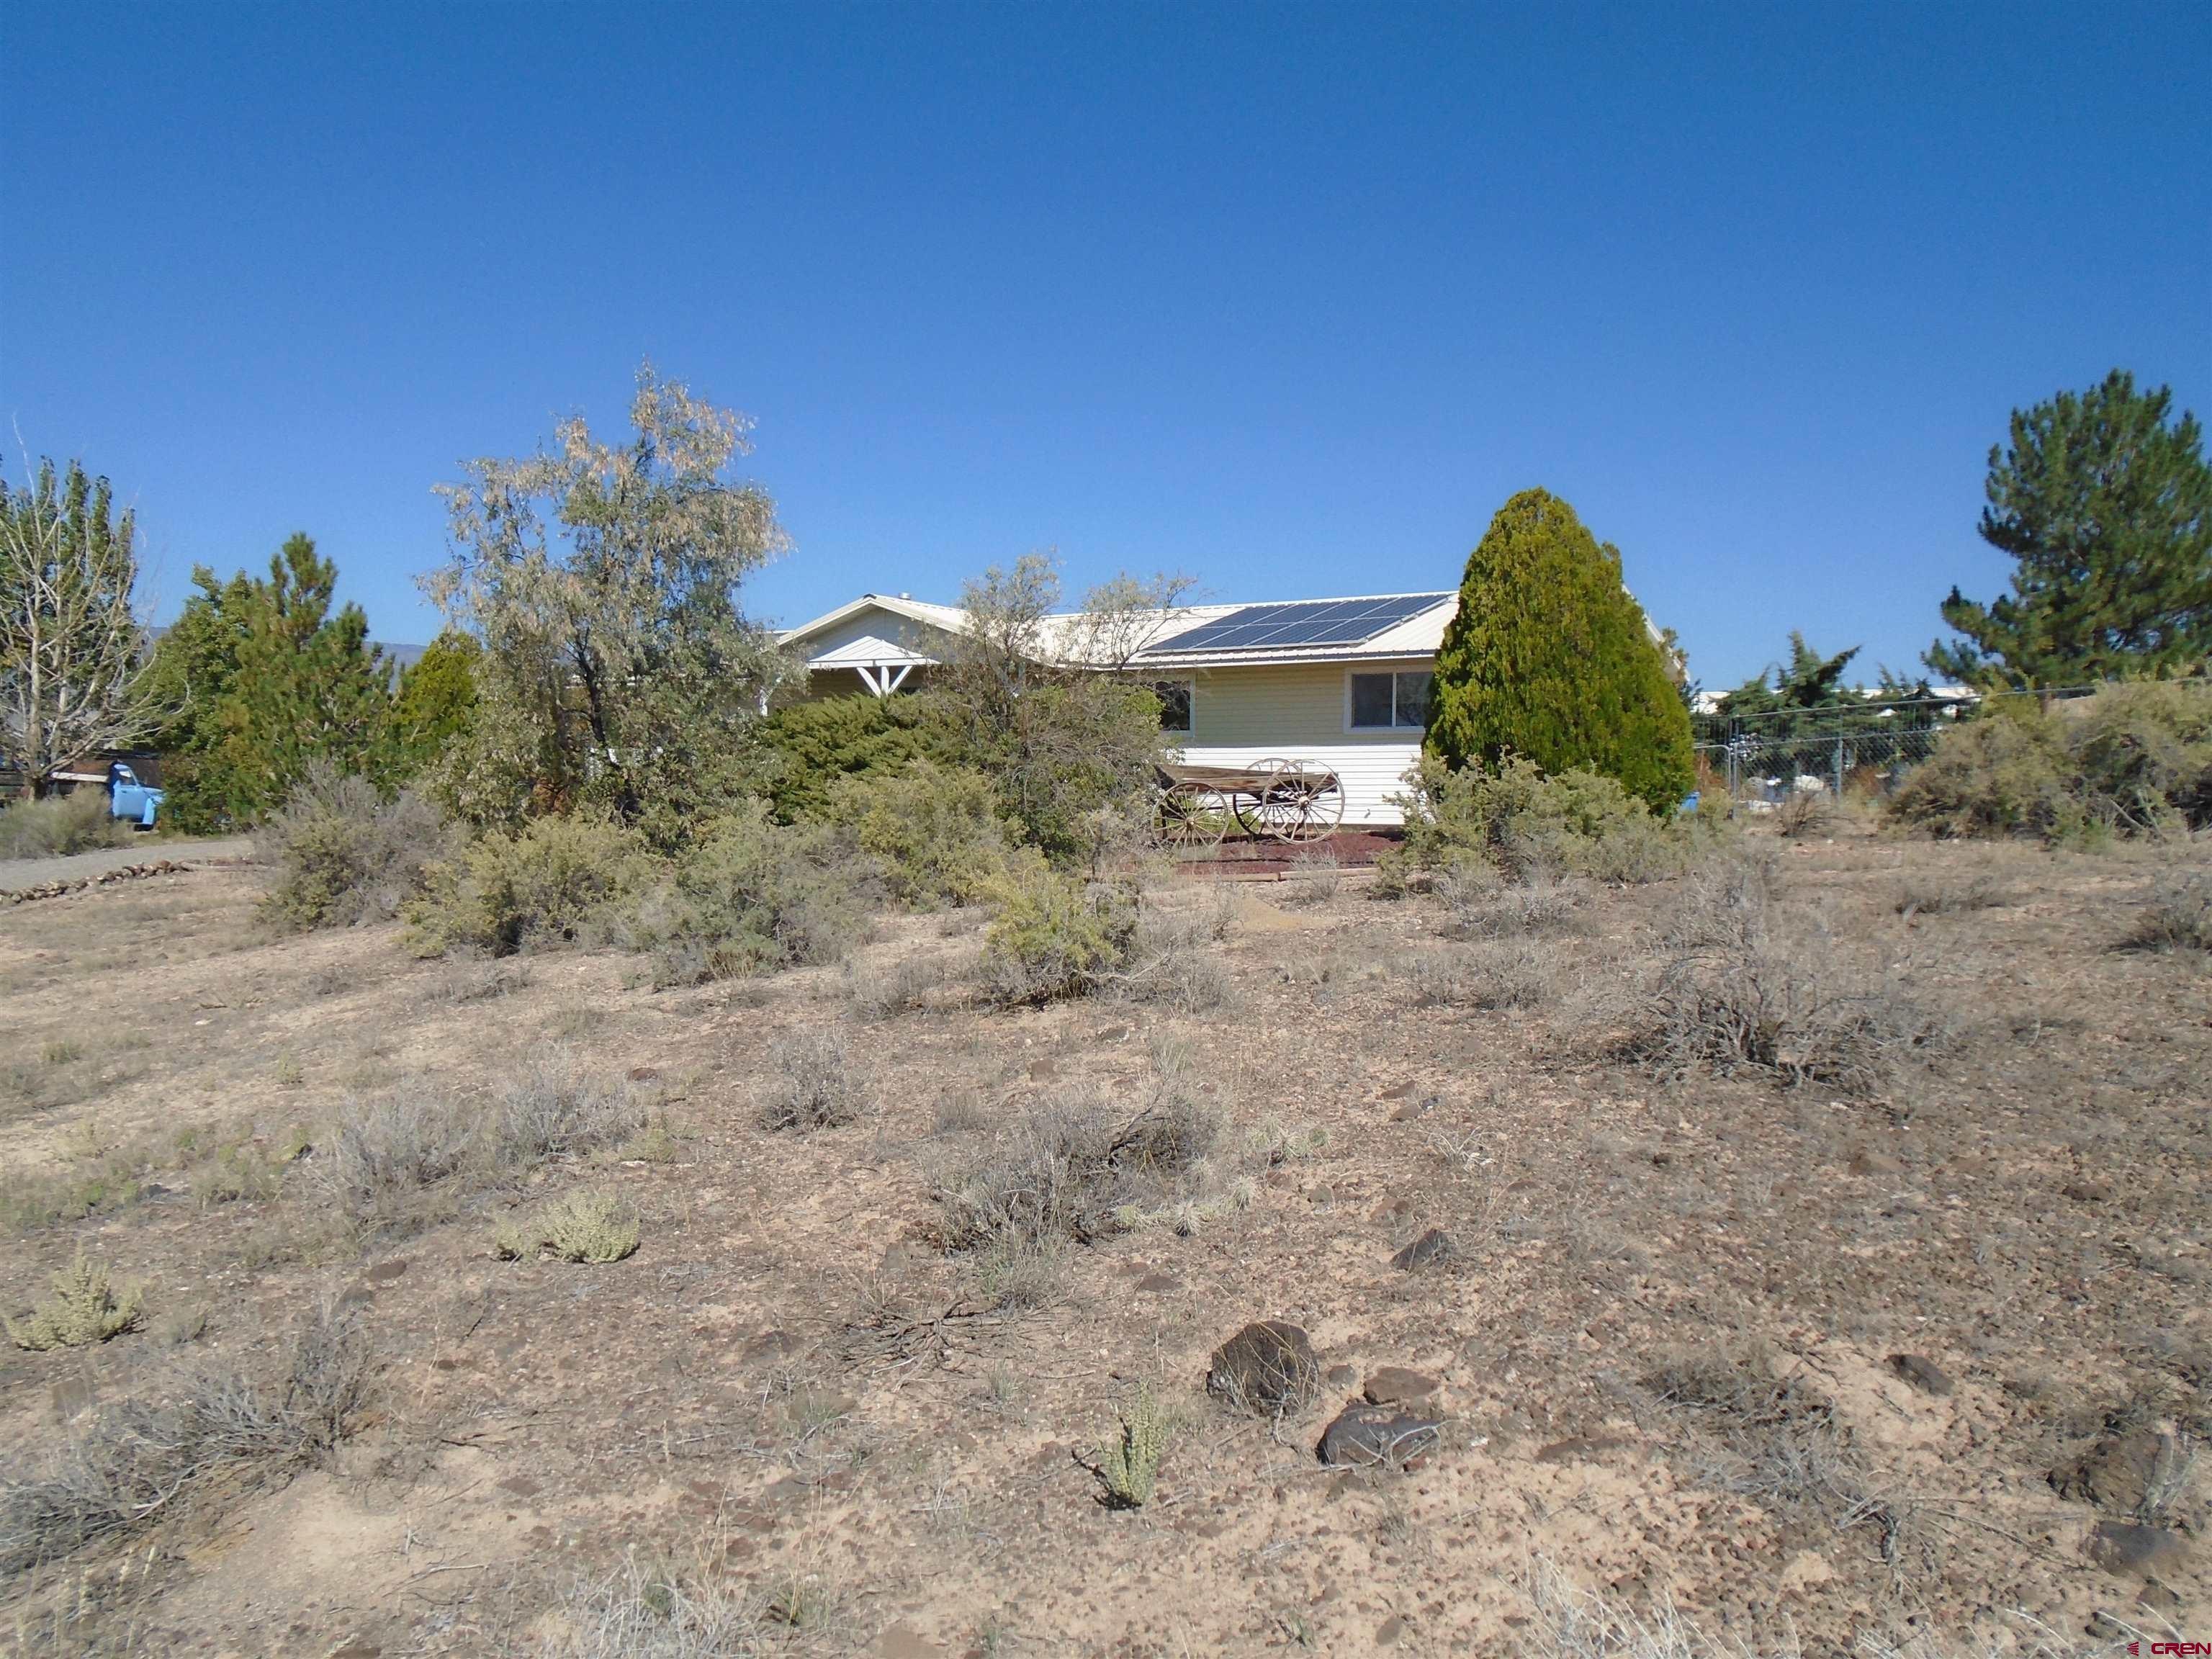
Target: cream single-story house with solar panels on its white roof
{"points": [[1339, 682]]}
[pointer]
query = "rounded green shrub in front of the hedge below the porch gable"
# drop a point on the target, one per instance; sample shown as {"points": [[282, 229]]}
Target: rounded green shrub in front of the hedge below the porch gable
{"points": [[935, 831]]}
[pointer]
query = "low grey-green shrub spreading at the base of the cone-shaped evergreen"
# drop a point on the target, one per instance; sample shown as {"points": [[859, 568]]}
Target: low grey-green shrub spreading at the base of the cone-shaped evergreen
{"points": [[1532, 824]]}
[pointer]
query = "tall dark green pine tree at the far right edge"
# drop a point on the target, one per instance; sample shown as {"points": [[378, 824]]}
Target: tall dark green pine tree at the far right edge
{"points": [[2107, 512]]}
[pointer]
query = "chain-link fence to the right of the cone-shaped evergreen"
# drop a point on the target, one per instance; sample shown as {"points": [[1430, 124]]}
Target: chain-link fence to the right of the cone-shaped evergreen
{"points": [[1859, 747]]}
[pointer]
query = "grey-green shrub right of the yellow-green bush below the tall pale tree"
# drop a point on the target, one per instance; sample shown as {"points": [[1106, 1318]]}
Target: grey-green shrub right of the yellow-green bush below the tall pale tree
{"points": [[749, 899]]}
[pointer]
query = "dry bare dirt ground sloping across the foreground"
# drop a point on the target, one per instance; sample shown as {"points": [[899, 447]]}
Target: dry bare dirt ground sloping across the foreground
{"points": [[1815, 1366]]}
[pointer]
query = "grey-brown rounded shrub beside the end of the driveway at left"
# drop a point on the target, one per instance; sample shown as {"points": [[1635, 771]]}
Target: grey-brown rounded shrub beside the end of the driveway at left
{"points": [[342, 855]]}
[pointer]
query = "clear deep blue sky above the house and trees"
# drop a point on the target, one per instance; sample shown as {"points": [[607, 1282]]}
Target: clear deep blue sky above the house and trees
{"points": [[1282, 298]]}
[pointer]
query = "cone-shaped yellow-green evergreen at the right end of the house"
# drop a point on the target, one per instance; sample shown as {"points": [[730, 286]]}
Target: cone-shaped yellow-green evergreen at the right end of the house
{"points": [[1554, 660]]}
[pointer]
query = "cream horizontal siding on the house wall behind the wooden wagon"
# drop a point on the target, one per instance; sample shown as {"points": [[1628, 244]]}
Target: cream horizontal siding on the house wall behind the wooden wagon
{"points": [[1300, 713]]}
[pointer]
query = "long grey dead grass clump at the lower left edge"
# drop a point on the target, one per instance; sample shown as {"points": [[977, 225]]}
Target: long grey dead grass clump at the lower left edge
{"points": [[138, 1459]]}
